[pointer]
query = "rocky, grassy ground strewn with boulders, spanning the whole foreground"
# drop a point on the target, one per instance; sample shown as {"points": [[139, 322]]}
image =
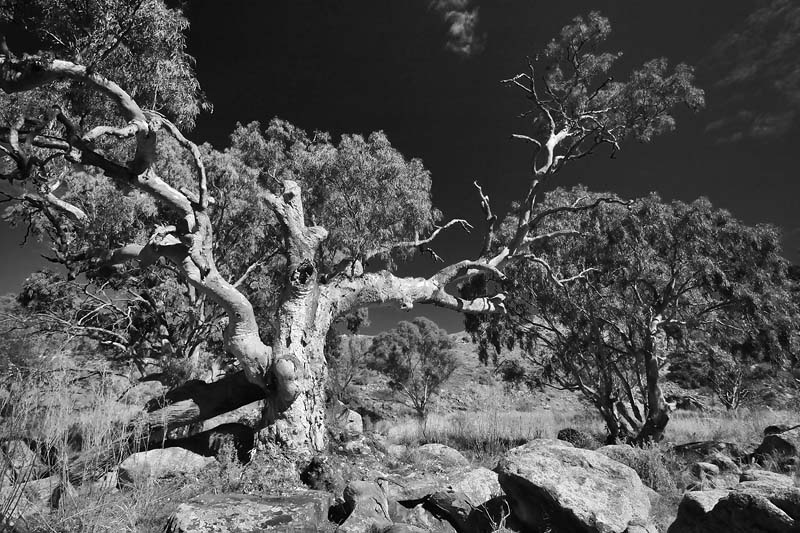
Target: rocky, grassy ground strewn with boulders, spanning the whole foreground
{"points": [[490, 459]]}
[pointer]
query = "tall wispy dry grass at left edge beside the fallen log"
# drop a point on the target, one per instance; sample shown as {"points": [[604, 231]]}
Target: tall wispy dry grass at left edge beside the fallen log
{"points": [[63, 413]]}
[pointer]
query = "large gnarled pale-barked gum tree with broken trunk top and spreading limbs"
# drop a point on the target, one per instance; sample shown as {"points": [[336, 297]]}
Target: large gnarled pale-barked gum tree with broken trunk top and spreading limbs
{"points": [[104, 104]]}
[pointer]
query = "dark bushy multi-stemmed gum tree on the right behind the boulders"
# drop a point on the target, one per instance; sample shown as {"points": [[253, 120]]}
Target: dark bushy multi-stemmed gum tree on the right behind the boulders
{"points": [[665, 278]]}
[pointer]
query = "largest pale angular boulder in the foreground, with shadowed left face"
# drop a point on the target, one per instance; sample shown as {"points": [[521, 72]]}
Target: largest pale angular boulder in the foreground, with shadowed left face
{"points": [[550, 482]]}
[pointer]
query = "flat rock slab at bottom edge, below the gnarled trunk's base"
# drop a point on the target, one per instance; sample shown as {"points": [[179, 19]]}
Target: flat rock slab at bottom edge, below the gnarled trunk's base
{"points": [[303, 512]]}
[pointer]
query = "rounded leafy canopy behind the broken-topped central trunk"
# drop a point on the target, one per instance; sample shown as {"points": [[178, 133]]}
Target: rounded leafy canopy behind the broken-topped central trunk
{"points": [[362, 190]]}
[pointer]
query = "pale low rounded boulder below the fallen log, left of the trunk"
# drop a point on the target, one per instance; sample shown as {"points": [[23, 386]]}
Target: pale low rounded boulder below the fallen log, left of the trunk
{"points": [[161, 463]]}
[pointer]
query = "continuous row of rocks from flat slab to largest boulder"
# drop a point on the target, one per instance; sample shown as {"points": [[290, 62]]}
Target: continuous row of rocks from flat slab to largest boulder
{"points": [[542, 484]]}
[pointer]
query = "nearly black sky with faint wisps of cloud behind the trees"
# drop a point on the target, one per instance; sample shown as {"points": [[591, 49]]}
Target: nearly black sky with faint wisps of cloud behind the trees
{"points": [[427, 73]]}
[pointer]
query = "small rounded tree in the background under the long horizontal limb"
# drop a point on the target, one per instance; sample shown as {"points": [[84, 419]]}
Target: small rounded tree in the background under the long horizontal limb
{"points": [[417, 357]]}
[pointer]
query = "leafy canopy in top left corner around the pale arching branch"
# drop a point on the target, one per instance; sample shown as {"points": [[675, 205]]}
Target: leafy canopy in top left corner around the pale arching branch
{"points": [[140, 44]]}
